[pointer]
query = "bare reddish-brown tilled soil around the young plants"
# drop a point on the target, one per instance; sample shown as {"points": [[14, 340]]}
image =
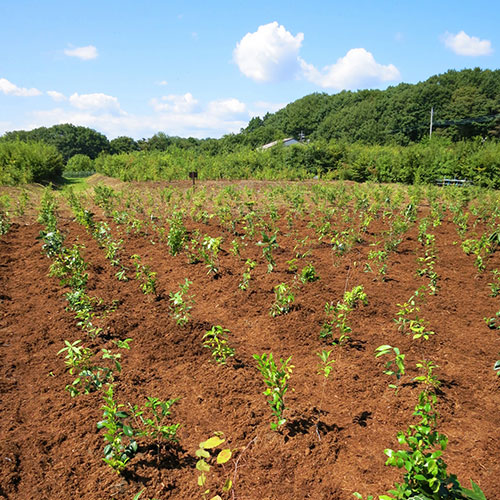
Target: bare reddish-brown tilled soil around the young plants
{"points": [[336, 432]]}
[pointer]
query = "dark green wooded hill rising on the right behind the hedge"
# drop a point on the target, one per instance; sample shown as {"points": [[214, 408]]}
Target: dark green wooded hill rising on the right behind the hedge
{"points": [[466, 104]]}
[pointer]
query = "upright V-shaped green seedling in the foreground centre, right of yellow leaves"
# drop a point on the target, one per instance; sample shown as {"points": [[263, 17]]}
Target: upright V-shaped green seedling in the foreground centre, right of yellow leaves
{"points": [[276, 379]]}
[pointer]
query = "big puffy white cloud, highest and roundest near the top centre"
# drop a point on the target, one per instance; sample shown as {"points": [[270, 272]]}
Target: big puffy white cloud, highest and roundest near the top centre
{"points": [[269, 54]]}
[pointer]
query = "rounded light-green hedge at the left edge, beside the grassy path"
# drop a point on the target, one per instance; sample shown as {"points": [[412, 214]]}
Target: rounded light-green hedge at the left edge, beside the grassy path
{"points": [[24, 162]]}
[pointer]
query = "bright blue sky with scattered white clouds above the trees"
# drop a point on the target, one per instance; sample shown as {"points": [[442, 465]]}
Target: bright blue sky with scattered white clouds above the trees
{"points": [[203, 69]]}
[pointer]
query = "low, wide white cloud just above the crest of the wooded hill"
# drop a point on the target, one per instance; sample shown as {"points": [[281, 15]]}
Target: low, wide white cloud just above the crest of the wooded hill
{"points": [[357, 68]]}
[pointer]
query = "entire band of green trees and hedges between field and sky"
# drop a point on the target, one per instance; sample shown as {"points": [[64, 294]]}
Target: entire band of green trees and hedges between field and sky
{"points": [[367, 135]]}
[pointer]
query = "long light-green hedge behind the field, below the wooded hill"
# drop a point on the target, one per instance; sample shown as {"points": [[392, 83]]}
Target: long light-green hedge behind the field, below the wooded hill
{"points": [[421, 163]]}
